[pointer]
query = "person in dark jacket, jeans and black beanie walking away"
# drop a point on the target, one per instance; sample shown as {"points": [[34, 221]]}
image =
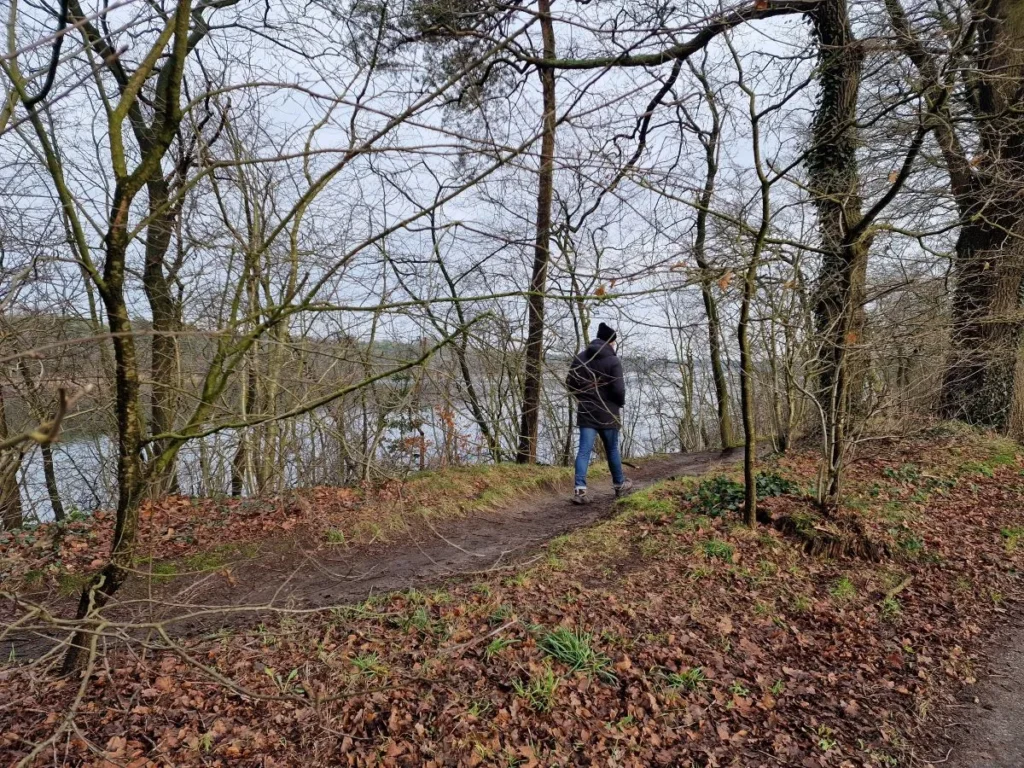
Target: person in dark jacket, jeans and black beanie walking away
{"points": [[596, 381]]}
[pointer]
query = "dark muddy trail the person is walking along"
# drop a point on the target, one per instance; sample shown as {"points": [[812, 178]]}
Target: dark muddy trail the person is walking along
{"points": [[301, 575]]}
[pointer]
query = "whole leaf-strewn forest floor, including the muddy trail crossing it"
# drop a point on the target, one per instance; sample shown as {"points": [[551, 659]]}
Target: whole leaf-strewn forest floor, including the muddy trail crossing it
{"points": [[653, 631]]}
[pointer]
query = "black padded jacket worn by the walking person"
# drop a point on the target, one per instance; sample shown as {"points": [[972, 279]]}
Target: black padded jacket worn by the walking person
{"points": [[596, 381]]}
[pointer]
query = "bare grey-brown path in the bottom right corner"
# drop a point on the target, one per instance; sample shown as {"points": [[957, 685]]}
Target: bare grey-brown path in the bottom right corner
{"points": [[991, 729]]}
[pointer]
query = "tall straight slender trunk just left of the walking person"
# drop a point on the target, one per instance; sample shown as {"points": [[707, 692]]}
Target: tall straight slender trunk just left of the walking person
{"points": [[527, 453]]}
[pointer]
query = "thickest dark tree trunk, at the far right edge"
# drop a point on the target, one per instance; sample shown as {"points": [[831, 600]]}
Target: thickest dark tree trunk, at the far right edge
{"points": [[983, 376]]}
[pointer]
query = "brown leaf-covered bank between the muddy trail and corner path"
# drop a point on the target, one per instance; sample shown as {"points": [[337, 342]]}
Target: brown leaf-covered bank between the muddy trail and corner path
{"points": [[627, 646]]}
